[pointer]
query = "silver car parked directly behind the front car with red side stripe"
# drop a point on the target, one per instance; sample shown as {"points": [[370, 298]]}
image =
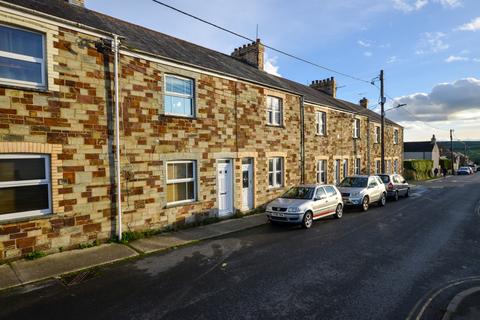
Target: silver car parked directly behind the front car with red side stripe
{"points": [[361, 191]]}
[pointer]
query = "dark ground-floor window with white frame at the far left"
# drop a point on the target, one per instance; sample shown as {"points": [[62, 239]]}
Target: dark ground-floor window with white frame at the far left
{"points": [[25, 188]]}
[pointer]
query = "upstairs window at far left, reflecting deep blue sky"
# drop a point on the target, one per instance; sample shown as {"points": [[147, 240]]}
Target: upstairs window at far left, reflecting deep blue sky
{"points": [[22, 57]]}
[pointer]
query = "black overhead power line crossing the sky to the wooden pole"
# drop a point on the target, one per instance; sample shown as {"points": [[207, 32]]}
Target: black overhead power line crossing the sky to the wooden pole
{"points": [[266, 46]]}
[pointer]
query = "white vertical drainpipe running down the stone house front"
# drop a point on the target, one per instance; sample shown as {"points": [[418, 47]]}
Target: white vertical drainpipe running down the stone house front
{"points": [[115, 45]]}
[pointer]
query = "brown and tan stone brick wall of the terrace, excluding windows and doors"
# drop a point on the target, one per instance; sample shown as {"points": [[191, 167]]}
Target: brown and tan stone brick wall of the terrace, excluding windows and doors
{"points": [[72, 121]]}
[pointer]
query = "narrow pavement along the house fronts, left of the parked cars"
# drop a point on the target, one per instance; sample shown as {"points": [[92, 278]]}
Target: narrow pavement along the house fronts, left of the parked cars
{"points": [[23, 272]]}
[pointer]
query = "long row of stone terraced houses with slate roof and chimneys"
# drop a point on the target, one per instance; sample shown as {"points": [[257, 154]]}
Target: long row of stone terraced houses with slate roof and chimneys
{"points": [[200, 133]]}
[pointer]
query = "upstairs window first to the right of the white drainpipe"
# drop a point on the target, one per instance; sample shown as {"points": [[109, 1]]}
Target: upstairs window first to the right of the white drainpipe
{"points": [[179, 96]]}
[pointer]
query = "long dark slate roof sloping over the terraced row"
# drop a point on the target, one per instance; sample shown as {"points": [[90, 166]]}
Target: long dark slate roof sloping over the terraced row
{"points": [[171, 48]]}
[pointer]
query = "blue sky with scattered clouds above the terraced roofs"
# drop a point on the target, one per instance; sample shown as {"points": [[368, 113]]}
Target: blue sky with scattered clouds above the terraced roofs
{"points": [[429, 49]]}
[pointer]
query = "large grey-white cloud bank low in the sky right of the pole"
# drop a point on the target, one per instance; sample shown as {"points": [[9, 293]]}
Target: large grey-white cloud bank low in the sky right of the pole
{"points": [[446, 102]]}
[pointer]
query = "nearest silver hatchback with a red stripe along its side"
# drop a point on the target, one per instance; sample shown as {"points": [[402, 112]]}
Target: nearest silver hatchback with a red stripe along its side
{"points": [[305, 203]]}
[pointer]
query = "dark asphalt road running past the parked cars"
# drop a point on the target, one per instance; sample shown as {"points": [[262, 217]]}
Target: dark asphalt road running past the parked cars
{"points": [[373, 265]]}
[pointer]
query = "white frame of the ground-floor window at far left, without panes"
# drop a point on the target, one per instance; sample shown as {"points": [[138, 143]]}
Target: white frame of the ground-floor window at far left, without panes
{"points": [[27, 183]]}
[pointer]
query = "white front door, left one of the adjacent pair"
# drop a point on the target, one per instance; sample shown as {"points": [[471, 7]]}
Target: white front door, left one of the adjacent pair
{"points": [[225, 186]]}
